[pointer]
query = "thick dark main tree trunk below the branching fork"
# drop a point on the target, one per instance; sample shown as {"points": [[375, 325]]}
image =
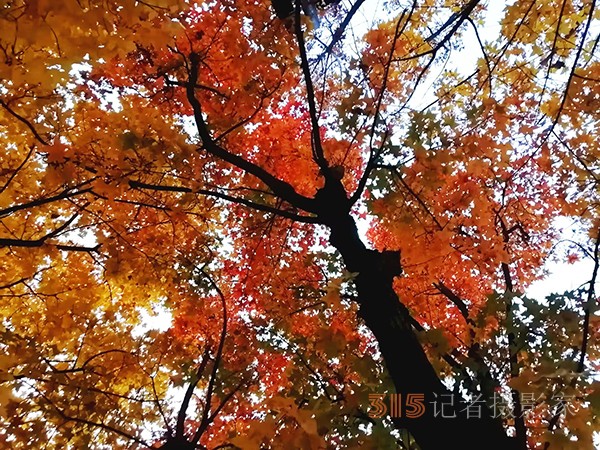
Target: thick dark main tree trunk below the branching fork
{"points": [[404, 356]]}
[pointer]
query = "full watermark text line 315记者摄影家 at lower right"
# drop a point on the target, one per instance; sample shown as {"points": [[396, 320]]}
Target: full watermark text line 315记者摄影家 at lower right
{"points": [[413, 406]]}
